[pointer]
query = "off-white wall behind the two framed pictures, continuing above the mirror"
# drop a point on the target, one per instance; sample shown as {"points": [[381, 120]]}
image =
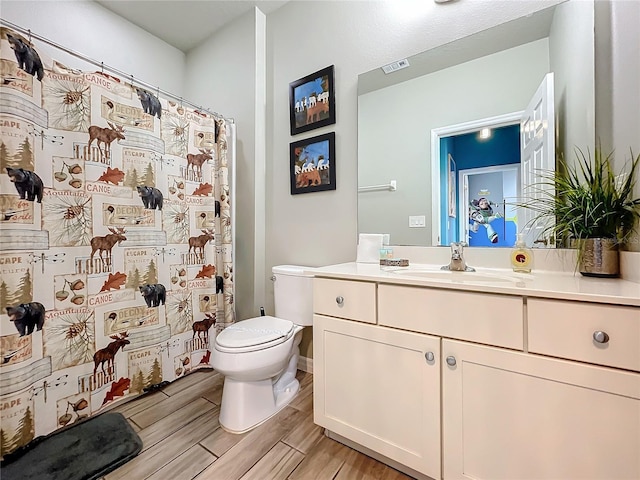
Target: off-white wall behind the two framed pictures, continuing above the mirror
{"points": [[303, 37]]}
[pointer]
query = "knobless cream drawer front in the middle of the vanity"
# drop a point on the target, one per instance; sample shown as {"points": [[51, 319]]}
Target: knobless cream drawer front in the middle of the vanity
{"points": [[477, 317]]}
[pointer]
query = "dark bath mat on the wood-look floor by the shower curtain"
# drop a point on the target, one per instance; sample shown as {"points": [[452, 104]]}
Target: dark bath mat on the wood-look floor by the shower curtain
{"points": [[87, 450]]}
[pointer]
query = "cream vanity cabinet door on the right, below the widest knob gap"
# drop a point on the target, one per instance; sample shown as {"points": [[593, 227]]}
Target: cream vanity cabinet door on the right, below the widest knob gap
{"points": [[509, 415]]}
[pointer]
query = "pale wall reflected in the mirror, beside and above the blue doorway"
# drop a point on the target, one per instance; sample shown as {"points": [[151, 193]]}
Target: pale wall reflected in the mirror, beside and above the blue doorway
{"points": [[395, 126]]}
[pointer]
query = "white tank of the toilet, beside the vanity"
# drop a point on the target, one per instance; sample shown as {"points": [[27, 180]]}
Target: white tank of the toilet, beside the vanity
{"points": [[293, 293]]}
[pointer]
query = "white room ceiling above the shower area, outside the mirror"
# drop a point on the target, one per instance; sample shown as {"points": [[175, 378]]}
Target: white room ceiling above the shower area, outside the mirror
{"points": [[185, 23]]}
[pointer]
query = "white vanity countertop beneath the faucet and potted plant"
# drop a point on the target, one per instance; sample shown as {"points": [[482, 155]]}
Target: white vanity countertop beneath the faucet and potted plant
{"points": [[561, 286]]}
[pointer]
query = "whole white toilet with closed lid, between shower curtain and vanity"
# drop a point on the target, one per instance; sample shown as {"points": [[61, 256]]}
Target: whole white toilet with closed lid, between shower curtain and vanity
{"points": [[259, 356]]}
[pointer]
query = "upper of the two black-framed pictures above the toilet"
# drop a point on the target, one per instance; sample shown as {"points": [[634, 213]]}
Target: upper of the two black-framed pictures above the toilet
{"points": [[312, 101]]}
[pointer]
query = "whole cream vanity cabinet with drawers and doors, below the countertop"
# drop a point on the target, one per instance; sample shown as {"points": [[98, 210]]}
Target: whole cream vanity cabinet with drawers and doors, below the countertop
{"points": [[530, 387]]}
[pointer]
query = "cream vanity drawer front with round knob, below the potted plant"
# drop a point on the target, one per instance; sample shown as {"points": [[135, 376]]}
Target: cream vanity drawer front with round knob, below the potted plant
{"points": [[566, 329]]}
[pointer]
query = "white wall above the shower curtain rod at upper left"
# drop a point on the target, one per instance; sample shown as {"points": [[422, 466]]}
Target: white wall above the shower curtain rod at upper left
{"points": [[95, 32]]}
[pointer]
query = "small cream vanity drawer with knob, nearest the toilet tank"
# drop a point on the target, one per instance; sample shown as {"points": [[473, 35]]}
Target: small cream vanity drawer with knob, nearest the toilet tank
{"points": [[345, 299]]}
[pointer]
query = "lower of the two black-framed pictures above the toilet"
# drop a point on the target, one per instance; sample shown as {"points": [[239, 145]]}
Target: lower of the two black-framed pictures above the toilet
{"points": [[313, 164]]}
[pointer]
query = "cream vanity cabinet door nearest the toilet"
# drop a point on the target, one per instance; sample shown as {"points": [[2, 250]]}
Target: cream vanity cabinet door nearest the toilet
{"points": [[376, 387]]}
